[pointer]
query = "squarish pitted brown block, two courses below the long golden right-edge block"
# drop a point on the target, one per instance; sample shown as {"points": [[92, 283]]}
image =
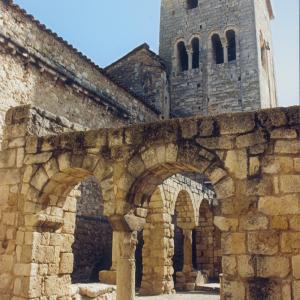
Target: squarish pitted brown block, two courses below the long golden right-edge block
{"points": [[263, 242]]}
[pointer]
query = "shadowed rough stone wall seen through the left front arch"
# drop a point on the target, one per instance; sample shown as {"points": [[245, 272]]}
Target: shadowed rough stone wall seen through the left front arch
{"points": [[93, 235]]}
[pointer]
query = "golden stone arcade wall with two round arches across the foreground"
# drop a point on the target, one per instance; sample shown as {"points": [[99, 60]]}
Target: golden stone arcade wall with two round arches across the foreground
{"points": [[235, 152]]}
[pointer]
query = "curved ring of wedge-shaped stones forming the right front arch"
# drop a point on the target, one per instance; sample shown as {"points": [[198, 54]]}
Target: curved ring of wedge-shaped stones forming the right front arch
{"points": [[159, 162]]}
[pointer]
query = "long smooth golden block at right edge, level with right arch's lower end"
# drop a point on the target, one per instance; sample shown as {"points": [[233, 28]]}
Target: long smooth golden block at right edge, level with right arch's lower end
{"points": [[281, 205]]}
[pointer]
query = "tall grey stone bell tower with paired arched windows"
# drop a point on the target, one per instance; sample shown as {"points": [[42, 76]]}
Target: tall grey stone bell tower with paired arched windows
{"points": [[218, 54]]}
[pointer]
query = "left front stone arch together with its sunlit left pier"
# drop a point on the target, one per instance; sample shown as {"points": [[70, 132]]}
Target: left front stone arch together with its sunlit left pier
{"points": [[52, 221]]}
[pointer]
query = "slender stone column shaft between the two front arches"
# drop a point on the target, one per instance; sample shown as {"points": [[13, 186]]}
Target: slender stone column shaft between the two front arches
{"points": [[126, 266]]}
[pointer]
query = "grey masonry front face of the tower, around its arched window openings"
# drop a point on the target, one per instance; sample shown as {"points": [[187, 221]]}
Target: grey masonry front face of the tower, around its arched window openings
{"points": [[211, 88]]}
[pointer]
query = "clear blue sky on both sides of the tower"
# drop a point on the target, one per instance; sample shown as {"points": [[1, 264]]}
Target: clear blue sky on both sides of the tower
{"points": [[105, 30]]}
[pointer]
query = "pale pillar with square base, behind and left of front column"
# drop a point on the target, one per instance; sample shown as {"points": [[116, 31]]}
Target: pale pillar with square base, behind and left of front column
{"points": [[110, 276]]}
